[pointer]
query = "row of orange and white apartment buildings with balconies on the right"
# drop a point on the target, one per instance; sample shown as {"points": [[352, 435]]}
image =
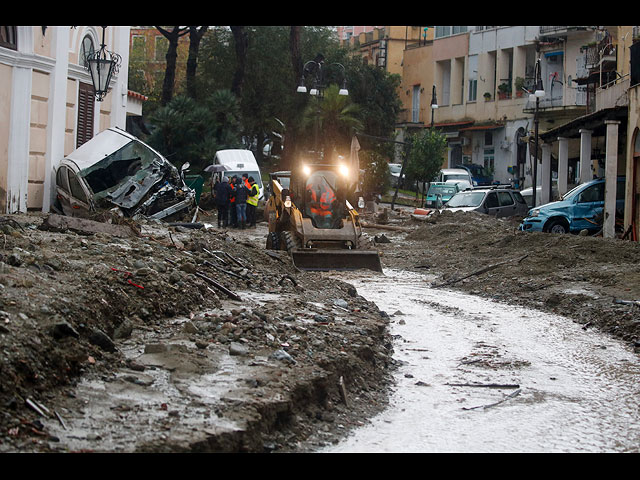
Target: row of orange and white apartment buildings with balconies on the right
{"points": [[480, 78]]}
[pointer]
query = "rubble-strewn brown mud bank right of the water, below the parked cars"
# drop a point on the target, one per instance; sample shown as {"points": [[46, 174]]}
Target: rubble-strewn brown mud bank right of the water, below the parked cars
{"points": [[593, 280]]}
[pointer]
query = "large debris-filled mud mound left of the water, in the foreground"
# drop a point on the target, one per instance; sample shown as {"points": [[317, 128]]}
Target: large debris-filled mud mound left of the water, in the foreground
{"points": [[105, 339]]}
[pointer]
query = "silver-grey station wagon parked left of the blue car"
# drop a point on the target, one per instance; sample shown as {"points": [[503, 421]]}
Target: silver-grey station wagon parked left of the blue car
{"points": [[499, 201]]}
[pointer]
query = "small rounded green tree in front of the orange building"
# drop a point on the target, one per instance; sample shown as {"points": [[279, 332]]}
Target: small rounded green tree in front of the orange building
{"points": [[428, 150]]}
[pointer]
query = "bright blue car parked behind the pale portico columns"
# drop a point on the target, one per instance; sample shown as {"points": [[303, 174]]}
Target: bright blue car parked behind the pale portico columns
{"points": [[575, 211]]}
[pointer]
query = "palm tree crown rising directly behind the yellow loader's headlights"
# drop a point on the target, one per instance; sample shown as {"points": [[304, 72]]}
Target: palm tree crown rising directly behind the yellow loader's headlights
{"points": [[336, 119]]}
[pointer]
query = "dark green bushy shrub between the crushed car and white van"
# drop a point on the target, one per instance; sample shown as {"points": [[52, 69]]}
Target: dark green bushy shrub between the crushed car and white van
{"points": [[186, 131]]}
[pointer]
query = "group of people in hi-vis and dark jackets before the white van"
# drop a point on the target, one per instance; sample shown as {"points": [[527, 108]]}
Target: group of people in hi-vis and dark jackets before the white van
{"points": [[237, 201]]}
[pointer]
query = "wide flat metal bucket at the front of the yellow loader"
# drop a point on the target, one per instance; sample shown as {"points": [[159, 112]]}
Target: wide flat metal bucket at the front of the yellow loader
{"points": [[328, 259]]}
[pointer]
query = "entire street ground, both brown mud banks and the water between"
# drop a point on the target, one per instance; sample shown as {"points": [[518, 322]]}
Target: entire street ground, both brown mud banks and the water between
{"points": [[497, 339]]}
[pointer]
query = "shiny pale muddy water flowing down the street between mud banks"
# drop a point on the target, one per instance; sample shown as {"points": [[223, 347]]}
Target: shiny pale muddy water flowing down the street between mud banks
{"points": [[480, 376]]}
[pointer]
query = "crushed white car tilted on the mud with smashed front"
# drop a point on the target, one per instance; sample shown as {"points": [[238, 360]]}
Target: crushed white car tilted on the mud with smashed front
{"points": [[116, 170]]}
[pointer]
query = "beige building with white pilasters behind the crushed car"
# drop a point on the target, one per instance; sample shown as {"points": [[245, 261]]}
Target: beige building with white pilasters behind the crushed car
{"points": [[47, 107]]}
